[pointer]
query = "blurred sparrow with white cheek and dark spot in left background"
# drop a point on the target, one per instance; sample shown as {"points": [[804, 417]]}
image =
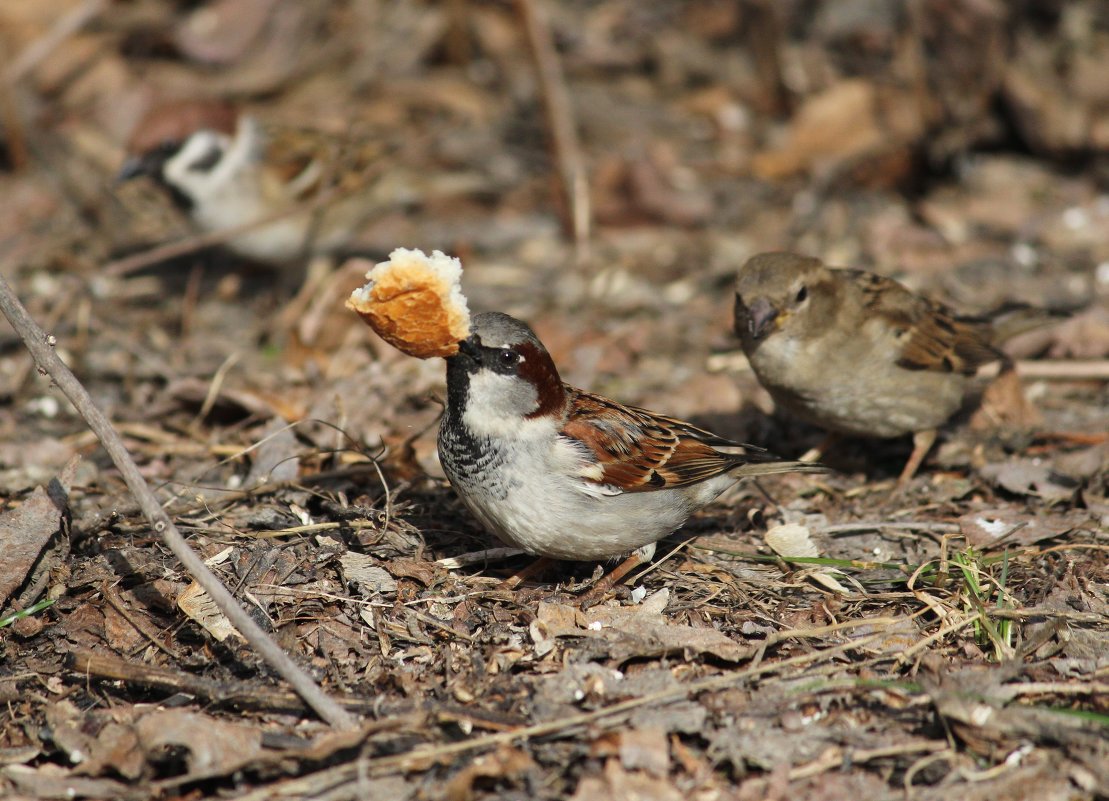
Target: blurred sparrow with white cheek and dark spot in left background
{"points": [[227, 169]]}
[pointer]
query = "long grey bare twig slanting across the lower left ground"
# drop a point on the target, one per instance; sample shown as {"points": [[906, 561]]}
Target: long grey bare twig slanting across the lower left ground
{"points": [[43, 350]]}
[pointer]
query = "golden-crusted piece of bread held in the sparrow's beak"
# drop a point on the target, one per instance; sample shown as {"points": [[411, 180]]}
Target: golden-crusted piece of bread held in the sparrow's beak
{"points": [[415, 303]]}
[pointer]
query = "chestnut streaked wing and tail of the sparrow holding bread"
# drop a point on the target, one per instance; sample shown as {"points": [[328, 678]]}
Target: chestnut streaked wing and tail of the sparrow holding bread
{"points": [[635, 451]]}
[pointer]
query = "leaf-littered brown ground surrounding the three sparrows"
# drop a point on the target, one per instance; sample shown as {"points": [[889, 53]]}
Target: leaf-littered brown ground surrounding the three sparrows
{"points": [[949, 642]]}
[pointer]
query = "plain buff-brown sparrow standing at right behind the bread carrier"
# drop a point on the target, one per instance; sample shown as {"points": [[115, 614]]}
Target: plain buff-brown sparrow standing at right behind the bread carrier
{"points": [[860, 354]]}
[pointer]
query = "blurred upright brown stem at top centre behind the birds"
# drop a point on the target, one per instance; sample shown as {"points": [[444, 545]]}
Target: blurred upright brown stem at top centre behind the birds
{"points": [[562, 120]]}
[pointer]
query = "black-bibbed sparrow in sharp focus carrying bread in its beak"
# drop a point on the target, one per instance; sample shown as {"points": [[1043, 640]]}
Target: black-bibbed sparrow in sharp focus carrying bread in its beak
{"points": [[565, 474]]}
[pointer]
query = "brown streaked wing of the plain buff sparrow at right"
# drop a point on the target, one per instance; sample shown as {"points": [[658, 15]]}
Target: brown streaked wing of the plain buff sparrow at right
{"points": [[929, 337]]}
